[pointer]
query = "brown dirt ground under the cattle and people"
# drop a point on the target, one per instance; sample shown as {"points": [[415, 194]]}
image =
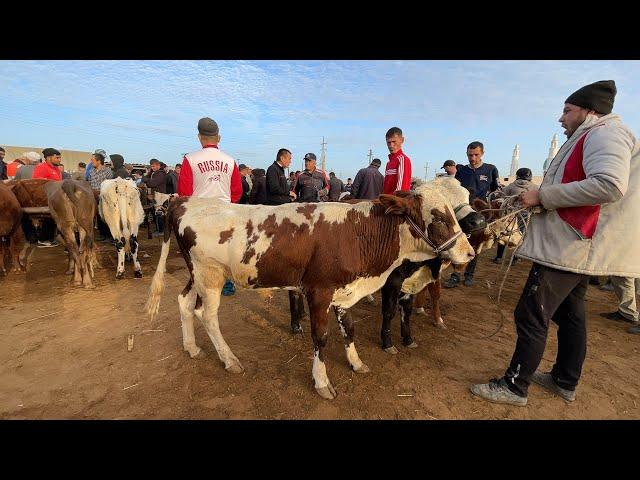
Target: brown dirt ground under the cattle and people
{"points": [[63, 354]]}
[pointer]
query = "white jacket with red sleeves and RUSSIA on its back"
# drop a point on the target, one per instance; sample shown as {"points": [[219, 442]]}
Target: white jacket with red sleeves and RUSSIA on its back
{"points": [[210, 173]]}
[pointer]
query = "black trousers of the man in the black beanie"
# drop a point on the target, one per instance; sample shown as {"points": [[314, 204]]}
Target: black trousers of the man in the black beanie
{"points": [[559, 296]]}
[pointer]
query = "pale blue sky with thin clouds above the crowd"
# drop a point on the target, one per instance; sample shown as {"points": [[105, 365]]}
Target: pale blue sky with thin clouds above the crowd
{"points": [[147, 109]]}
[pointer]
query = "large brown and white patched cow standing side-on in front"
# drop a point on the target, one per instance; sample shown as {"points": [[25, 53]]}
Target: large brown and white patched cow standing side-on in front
{"points": [[335, 253]]}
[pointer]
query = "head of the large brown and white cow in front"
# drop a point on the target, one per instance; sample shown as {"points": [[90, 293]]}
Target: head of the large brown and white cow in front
{"points": [[432, 214]]}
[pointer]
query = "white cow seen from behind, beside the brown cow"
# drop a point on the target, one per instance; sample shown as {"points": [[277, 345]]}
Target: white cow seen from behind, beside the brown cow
{"points": [[121, 209]]}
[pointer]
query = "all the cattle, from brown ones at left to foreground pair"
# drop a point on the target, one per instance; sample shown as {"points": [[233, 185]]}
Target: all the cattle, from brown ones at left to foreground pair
{"points": [[333, 253]]}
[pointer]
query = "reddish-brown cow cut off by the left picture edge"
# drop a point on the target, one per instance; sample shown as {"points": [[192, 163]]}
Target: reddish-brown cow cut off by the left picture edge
{"points": [[10, 228]]}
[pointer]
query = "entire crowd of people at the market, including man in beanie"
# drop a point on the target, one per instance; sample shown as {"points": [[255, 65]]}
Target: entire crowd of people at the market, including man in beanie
{"points": [[590, 188]]}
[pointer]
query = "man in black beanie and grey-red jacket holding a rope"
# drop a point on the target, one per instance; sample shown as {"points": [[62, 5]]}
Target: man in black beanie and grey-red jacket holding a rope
{"points": [[590, 199]]}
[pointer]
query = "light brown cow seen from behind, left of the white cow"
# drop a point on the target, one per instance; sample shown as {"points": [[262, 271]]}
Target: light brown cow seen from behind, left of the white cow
{"points": [[73, 208]]}
